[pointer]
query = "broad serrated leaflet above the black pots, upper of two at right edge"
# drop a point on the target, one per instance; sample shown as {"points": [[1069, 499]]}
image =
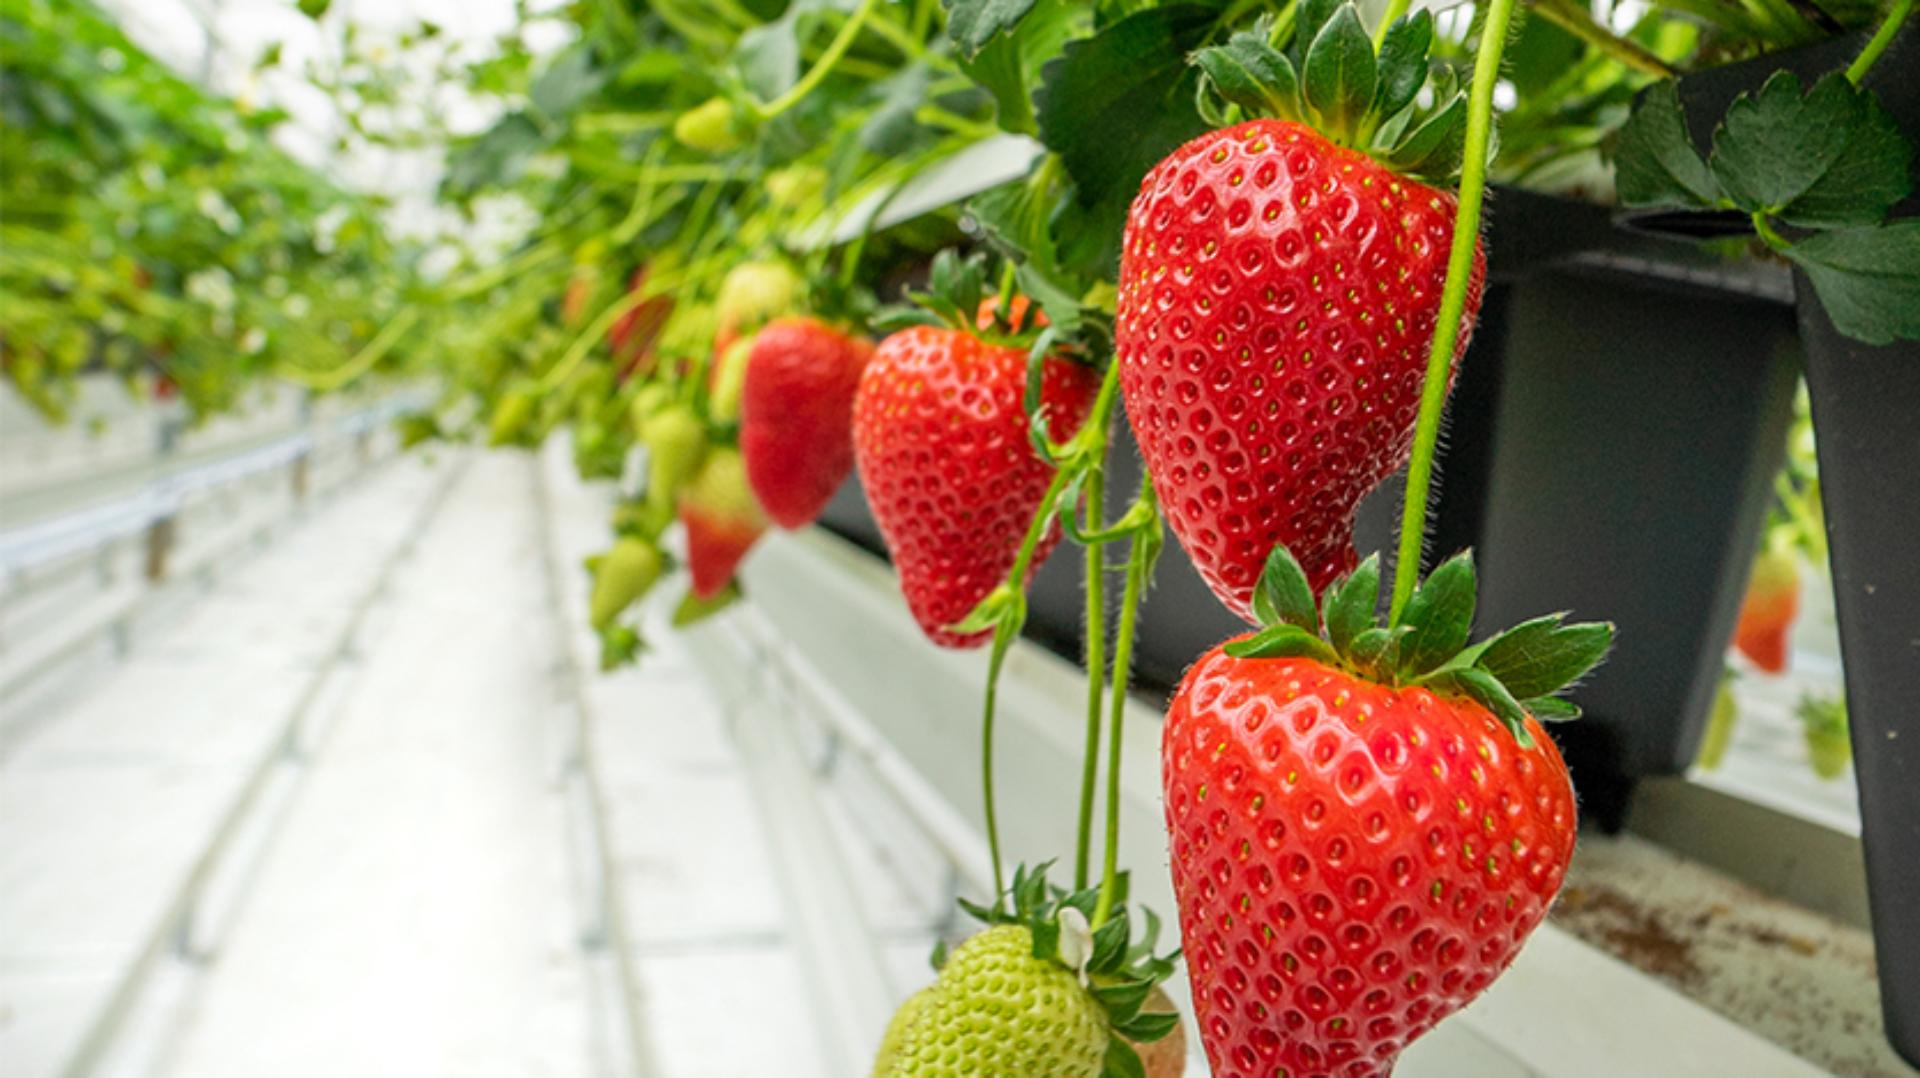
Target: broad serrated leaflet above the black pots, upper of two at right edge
{"points": [[1829, 159]]}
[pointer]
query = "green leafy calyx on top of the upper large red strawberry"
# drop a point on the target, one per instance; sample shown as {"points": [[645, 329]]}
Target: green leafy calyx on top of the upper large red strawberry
{"points": [[1333, 80]]}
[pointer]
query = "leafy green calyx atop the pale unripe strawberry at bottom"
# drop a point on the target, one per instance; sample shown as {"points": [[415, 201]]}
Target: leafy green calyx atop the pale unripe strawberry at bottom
{"points": [[1116, 969]]}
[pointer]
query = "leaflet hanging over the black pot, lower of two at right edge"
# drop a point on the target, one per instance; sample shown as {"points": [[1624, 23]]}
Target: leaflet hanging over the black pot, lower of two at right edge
{"points": [[1867, 280]]}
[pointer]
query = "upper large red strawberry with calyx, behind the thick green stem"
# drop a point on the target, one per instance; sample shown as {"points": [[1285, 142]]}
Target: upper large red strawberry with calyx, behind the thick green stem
{"points": [[1278, 301]]}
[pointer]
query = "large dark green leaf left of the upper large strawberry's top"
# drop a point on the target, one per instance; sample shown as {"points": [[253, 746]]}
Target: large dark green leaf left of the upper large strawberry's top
{"points": [[1120, 101]]}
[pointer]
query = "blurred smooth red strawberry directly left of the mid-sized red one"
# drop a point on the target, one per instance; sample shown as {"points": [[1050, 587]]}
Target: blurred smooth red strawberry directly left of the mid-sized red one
{"points": [[796, 416]]}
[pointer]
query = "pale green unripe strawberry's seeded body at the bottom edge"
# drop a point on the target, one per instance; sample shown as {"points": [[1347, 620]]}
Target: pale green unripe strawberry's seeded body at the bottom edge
{"points": [[997, 1010]]}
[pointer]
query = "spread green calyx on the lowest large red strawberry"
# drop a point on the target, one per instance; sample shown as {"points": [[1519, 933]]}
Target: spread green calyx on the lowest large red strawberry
{"points": [[1516, 674]]}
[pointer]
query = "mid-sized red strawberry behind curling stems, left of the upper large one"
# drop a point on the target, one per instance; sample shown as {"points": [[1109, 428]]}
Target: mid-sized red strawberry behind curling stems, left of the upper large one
{"points": [[948, 466]]}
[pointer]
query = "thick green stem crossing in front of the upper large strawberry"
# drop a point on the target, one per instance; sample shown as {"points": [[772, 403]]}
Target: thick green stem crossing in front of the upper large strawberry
{"points": [[1452, 303]]}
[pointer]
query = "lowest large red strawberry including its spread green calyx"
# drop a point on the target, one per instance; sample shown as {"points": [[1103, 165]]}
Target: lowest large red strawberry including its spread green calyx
{"points": [[1366, 823]]}
